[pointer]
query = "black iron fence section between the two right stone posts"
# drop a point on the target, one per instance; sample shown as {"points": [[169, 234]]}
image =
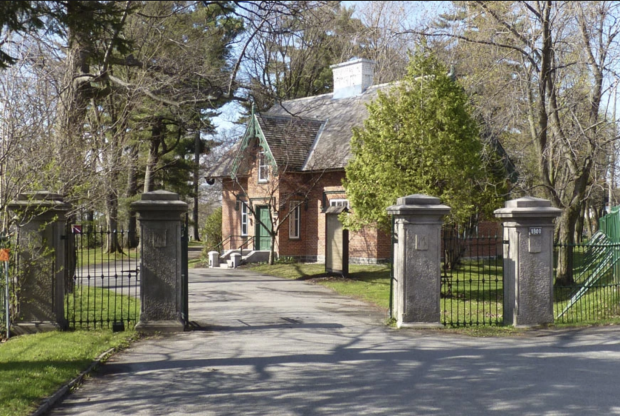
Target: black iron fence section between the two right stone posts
{"points": [[472, 280]]}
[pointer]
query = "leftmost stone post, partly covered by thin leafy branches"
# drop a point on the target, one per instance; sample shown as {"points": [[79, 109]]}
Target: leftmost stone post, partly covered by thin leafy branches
{"points": [[41, 266]]}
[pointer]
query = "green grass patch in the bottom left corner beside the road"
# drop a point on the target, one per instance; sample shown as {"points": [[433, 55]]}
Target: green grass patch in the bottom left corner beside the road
{"points": [[33, 367]]}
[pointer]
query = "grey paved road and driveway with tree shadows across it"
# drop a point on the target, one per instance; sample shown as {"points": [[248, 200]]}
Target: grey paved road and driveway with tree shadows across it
{"points": [[278, 347]]}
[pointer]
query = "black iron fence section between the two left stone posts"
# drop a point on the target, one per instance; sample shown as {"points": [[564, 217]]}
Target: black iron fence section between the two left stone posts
{"points": [[102, 287]]}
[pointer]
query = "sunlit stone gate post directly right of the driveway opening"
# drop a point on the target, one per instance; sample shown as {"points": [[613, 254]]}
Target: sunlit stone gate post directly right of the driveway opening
{"points": [[417, 262]]}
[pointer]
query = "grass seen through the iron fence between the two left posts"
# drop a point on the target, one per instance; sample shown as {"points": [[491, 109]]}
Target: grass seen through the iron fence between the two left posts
{"points": [[89, 306]]}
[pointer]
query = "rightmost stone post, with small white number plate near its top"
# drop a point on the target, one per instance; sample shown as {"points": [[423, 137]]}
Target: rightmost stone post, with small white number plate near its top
{"points": [[528, 260]]}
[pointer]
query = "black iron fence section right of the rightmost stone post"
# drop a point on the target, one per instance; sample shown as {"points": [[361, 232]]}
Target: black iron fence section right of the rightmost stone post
{"points": [[587, 282]]}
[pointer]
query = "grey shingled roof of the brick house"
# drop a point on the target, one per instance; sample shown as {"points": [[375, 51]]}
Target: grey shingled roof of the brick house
{"points": [[308, 134]]}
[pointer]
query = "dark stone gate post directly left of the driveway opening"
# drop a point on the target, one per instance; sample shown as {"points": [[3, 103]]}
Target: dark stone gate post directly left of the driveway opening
{"points": [[159, 213]]}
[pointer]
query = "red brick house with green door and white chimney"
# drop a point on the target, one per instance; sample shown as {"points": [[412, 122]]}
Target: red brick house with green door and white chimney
{"points": [[288, 168]]}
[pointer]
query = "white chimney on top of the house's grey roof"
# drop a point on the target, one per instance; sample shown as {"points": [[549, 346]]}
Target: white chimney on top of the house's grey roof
{"points": [[352, 78]]}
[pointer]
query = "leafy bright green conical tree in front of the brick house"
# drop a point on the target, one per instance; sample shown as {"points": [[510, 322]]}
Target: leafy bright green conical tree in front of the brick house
{"points": [[420, 137]]}
